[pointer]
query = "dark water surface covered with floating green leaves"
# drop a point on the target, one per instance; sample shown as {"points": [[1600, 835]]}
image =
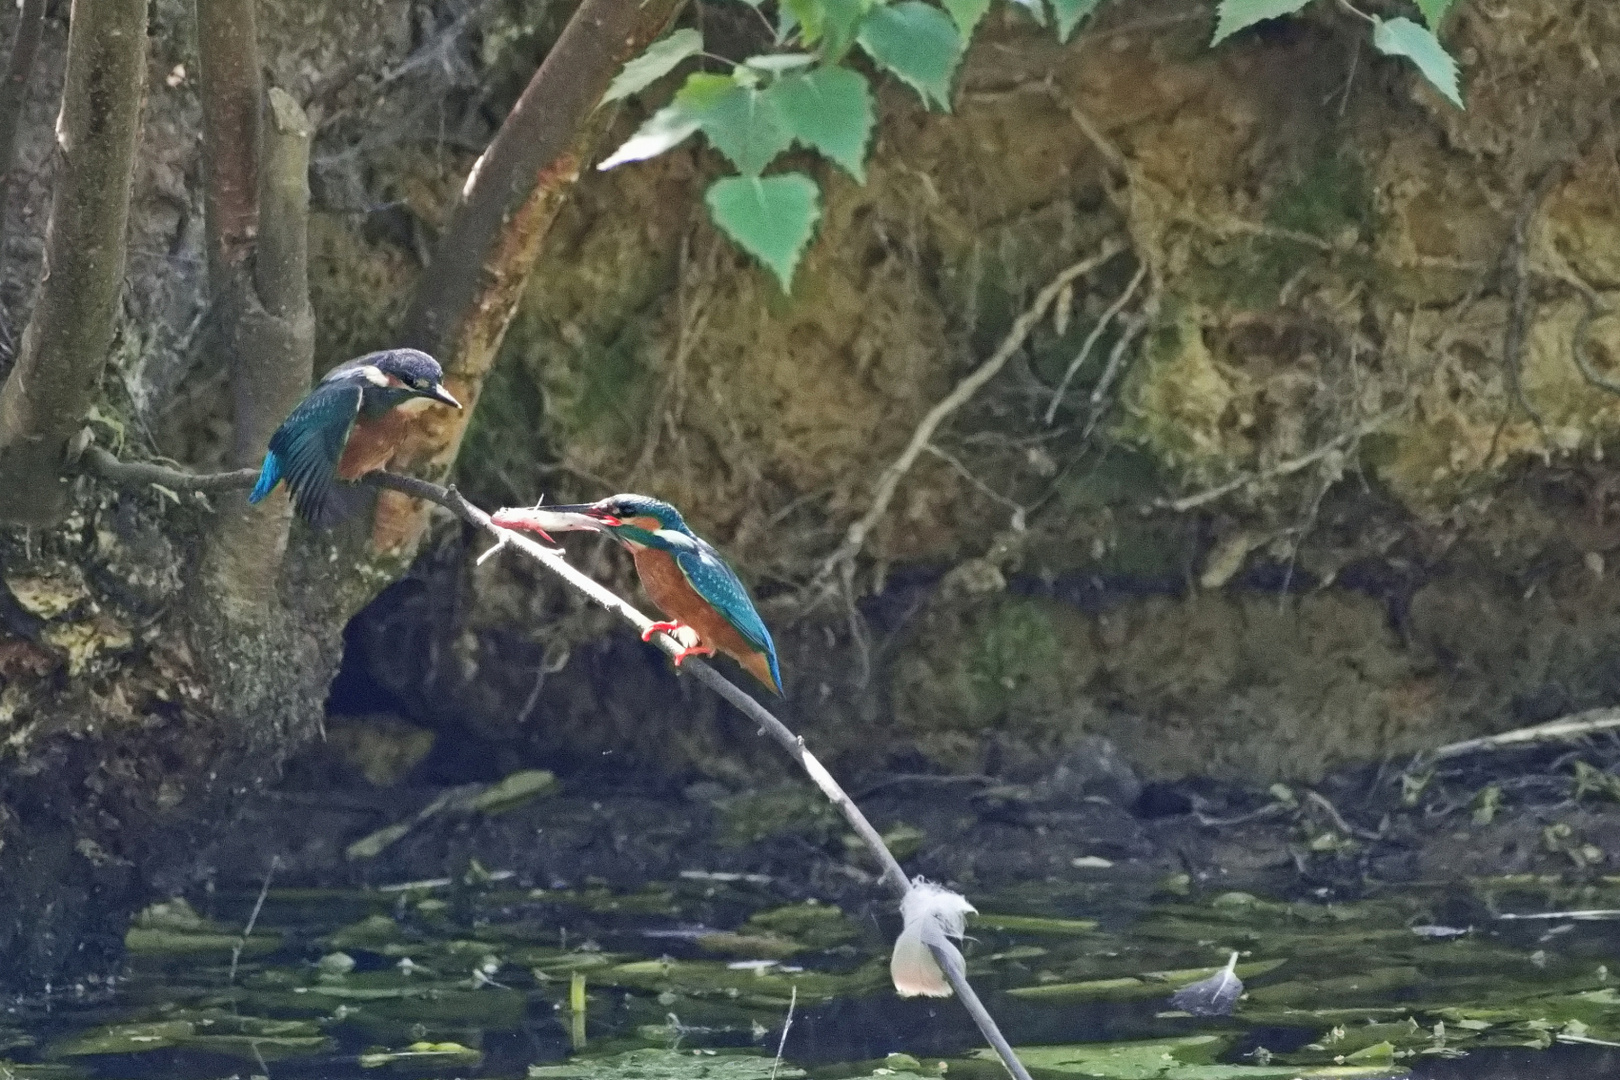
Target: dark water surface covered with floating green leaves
{"points": [[456, 980]]}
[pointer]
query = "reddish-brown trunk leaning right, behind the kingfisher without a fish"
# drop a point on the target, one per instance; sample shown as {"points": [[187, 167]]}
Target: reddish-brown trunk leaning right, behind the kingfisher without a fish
{"points": [[469, 296]]}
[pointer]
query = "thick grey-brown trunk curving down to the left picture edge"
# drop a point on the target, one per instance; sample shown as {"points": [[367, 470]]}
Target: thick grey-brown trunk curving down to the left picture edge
{"points": [[70, 331]]}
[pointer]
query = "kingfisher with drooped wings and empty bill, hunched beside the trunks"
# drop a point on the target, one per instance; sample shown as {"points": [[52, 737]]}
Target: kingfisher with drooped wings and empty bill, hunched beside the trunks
{"points": [[349, 427]]}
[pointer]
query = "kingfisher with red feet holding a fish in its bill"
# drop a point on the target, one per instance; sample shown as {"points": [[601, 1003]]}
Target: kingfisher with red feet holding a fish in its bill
{"points": [[683, 574]]}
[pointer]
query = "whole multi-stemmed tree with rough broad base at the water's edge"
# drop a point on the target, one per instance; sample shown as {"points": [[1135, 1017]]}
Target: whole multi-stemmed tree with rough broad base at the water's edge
{"points": [[195, 657]]}
